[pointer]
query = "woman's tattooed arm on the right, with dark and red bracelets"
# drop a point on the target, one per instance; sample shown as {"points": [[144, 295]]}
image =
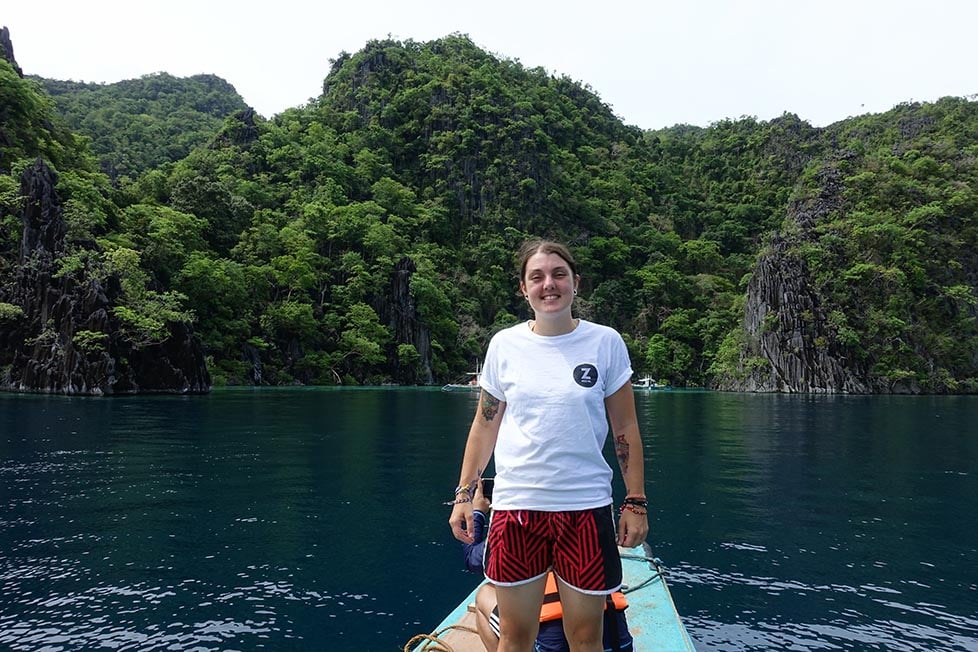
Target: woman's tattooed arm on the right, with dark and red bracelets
{"points": [[633, 526]]}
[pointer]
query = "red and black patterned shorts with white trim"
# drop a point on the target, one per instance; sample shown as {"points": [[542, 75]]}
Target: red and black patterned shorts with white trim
{"points": [[580, 546]]}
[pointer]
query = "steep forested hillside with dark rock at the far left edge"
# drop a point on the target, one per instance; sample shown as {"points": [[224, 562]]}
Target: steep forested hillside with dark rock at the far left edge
{"points": [[77, 314]]}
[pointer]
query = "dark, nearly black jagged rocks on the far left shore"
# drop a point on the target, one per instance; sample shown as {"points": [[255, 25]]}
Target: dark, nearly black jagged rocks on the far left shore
{"points": [[58, 333]]}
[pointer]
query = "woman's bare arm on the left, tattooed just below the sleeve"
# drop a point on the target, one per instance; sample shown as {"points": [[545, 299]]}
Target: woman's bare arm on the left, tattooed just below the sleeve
{"points": [[478, 450]]}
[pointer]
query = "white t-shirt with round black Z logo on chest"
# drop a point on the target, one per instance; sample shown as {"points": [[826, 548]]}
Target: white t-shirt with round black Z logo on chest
{"points": [[548, 454]]}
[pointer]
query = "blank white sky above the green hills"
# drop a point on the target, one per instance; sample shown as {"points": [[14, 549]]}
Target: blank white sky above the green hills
{"points": [[656, 63]]}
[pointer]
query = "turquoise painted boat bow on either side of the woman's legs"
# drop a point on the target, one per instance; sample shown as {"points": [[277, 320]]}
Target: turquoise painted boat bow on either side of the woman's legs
{"points": [[652, 617]]}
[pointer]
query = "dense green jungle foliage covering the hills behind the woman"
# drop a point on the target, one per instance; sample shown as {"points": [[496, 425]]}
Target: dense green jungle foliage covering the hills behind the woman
{"points": [[281, 237]]}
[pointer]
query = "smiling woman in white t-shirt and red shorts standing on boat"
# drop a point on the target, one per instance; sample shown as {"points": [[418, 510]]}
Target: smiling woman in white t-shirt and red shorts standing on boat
{"points": [[549, 388]]}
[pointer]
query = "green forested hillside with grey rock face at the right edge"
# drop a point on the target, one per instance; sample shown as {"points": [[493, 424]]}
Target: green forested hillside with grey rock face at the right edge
{"points": [[870, 284]]}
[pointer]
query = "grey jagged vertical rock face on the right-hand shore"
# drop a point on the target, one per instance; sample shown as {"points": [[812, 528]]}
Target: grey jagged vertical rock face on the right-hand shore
{"points": [[789, 347]]}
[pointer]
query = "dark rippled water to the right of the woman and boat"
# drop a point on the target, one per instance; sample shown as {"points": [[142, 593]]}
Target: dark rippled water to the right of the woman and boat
{"points": [[819, 522]]}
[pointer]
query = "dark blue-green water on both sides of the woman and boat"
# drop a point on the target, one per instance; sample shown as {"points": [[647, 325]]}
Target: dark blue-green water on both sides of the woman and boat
{"points": [[309, 519]]}
